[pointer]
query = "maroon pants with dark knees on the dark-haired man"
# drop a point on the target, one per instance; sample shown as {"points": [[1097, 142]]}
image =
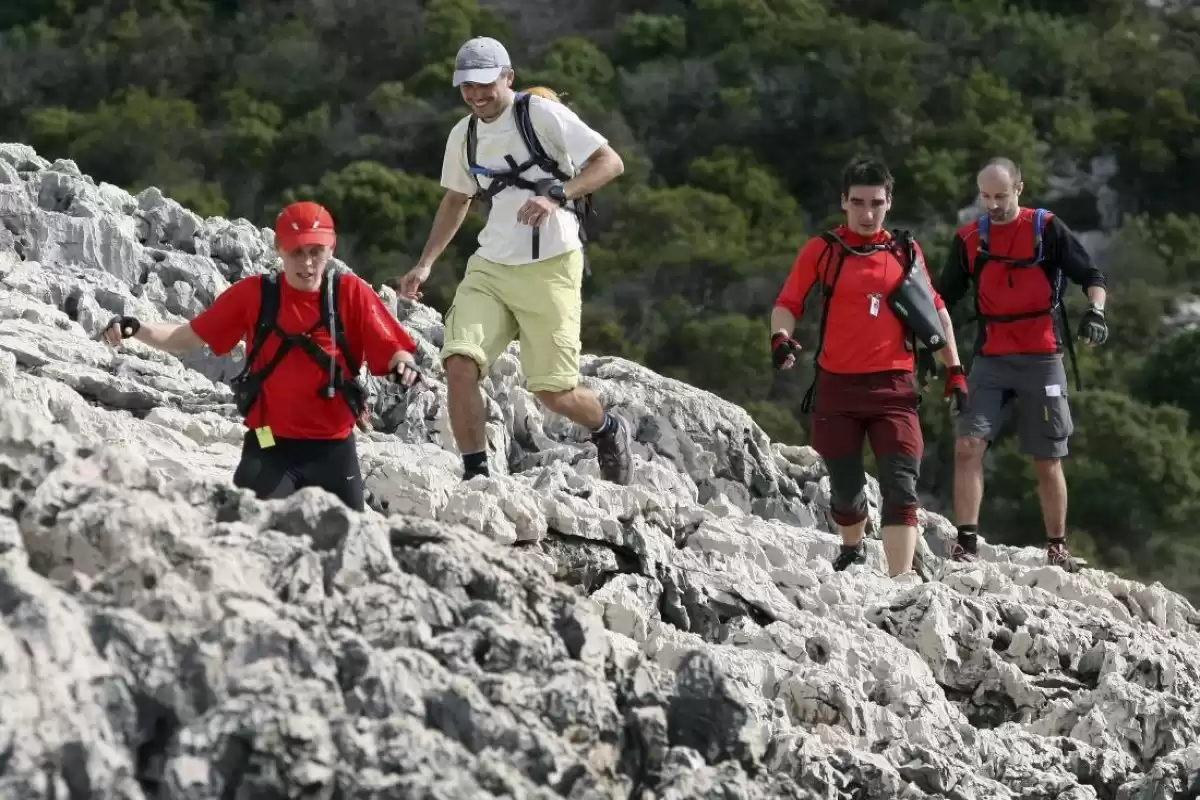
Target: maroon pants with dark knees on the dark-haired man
{"points": [[880, 407]]}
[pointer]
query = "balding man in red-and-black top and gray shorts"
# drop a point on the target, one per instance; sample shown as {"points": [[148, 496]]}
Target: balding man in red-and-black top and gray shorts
{"points": [[1018, 282]]}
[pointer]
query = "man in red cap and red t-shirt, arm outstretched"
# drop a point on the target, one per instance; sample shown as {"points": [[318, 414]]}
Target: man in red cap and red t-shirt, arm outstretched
{"points": [[308, 330]]}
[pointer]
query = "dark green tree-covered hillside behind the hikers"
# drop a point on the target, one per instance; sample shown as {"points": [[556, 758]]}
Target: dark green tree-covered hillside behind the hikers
{"points": [[735, 119]]}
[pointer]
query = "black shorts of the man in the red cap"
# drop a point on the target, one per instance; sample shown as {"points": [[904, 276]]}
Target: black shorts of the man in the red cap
{"points": [[292, 465]]}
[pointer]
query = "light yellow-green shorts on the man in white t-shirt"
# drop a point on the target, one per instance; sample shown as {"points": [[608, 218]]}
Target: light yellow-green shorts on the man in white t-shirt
{"points": [[537, 304]]}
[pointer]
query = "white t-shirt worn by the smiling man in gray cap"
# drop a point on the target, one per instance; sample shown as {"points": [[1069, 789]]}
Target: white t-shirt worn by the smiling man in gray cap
{"points": [[565, 137]]}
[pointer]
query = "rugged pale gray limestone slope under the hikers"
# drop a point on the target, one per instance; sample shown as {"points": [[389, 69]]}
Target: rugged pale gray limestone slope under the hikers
{"points": [[538, 635]]}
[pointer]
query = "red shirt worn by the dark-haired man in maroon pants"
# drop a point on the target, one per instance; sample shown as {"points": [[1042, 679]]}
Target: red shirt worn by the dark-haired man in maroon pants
{"points": [[862, 333]]}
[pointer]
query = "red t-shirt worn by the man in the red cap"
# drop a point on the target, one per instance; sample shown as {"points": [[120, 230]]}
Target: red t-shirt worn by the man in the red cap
{"points": [[290, 401]]}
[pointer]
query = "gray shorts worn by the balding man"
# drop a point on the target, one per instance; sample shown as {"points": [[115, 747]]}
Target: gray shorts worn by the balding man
{"points": [[1037, 384]]}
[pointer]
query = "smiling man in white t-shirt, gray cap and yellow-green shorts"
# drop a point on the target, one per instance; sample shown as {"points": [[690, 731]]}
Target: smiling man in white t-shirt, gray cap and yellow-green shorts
{"points": [[526, 278]]}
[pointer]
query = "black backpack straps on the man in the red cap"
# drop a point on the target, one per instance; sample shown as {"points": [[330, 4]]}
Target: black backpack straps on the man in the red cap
{"points": [[248, 386]]}
